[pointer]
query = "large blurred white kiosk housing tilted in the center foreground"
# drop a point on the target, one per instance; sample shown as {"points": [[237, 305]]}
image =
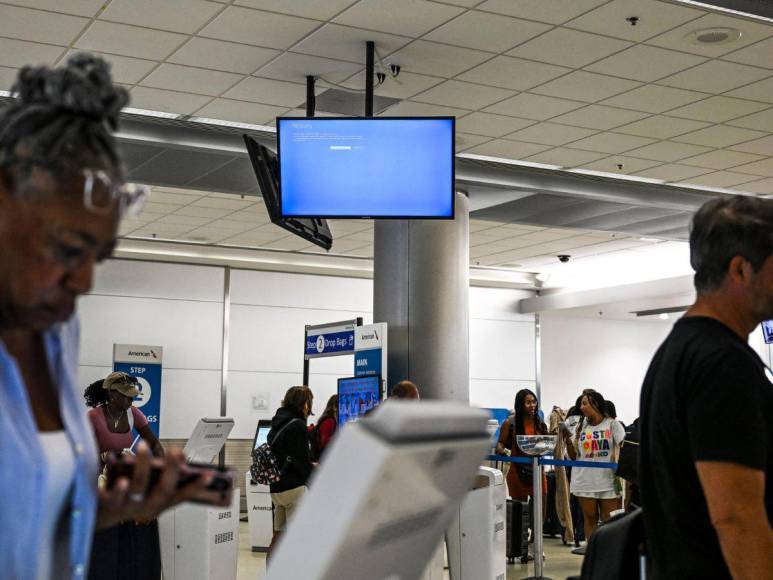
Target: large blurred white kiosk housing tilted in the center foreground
{"points": [[385, 495]]}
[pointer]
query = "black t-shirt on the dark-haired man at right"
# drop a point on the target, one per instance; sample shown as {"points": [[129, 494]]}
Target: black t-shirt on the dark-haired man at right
{"points": [[706, 397]]}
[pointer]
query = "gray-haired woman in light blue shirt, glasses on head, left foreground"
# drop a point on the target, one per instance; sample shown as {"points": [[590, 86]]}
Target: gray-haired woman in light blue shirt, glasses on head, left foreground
{"points": [[62, 195]]}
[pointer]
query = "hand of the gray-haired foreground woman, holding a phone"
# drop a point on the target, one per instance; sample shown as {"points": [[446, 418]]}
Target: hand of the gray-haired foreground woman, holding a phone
{"points": [[131, 499]]}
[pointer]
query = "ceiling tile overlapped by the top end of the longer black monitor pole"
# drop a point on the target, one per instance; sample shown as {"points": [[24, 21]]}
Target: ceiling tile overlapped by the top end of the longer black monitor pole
{"points": [[346, 43]]}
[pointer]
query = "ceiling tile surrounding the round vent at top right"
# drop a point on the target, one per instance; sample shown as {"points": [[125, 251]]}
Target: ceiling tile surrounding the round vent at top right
{"points": [[676, 39]]}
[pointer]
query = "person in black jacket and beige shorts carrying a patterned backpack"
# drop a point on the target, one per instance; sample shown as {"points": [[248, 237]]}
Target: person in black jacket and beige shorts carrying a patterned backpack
{"points": [[289, 441]]}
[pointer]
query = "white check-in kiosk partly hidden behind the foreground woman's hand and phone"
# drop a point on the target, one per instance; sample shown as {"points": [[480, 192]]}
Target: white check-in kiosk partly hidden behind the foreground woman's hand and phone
{"points": [[200, 542]]}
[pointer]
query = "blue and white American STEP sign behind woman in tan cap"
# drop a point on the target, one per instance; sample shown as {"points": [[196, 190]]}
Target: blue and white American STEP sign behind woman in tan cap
{"points": [[145, 363]]}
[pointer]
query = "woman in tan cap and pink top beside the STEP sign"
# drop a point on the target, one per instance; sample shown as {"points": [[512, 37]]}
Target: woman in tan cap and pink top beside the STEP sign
{"points": [[130, 549]]}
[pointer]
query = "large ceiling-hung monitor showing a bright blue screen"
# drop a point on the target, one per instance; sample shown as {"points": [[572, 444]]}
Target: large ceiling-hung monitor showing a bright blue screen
{"points": [[385, 167]]}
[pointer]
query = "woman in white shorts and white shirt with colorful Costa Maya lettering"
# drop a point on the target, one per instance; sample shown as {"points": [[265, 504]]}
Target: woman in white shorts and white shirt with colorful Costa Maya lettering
{"points": [[595, 439]]}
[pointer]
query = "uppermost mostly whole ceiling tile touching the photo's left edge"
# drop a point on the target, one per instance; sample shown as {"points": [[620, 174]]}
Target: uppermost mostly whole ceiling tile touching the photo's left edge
{"points": [[36, 25]]}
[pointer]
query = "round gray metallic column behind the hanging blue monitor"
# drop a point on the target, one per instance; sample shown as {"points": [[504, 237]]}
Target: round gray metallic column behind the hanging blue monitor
{"points": [[421, 289]]}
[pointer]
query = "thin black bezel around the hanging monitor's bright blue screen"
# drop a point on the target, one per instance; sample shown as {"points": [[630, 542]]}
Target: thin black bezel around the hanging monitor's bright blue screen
{"points": [[376, 217]]}
